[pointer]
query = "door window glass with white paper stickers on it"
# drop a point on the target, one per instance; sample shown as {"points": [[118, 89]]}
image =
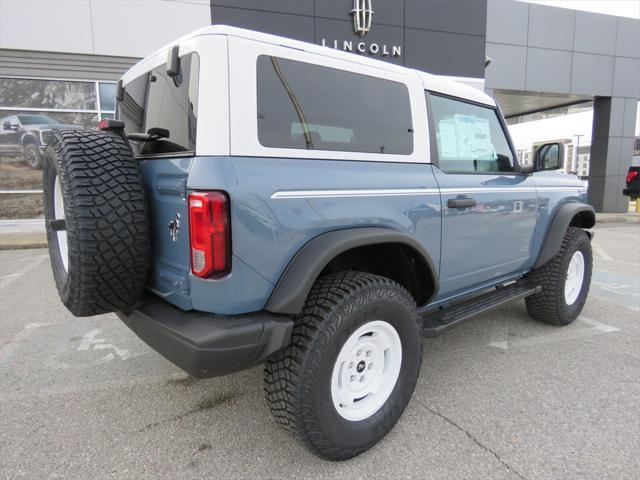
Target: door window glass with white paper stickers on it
{"points": [[469, 137]]}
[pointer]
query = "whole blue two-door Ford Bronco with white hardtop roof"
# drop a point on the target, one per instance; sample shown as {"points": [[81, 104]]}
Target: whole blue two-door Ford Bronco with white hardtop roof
{"points": [[260, 200]]}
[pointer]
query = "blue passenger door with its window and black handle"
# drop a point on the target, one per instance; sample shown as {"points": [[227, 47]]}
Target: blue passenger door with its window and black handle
{"points": [[489, 209]]}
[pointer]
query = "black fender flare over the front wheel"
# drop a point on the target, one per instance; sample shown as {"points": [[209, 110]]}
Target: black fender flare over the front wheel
{"points": [[559, 225]]}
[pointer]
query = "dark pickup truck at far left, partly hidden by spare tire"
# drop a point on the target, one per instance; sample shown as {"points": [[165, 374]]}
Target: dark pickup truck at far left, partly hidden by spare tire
{"points": [[28, 135]]}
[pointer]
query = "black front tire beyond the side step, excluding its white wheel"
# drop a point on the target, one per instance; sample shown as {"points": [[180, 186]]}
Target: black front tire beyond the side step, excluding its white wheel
{"points": [[549, 306]]}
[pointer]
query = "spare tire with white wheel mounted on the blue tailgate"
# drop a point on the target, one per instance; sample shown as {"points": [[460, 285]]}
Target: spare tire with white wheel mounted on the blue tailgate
{"points": [[96, 220]]}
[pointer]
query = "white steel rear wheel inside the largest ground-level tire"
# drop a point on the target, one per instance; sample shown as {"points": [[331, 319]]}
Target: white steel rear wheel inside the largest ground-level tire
{"points": [[366, 370]]}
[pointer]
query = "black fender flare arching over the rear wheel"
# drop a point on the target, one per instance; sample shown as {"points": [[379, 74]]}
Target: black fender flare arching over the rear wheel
{"points": [[293, 287]]}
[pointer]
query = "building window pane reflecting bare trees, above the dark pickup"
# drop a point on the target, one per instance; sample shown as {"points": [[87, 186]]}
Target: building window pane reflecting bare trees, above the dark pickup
{"points": [[31, 93]]}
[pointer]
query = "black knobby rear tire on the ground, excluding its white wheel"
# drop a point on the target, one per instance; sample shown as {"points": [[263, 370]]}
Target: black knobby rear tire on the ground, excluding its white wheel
{"points": [[297, 381]]}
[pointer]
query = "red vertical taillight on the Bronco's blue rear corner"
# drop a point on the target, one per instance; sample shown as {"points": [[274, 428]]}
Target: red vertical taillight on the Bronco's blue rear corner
{"points": [[209, 231]]}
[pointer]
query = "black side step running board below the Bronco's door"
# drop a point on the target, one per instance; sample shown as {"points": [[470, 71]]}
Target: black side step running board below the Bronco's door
{"points": [[438, 321]]}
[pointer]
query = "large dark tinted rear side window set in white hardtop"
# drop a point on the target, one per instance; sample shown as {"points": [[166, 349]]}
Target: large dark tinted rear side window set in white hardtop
{"points": [[306, 106]]}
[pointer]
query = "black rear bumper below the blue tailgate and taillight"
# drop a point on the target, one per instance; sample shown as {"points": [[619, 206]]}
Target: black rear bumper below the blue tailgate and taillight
{"points": [[206, 345]]}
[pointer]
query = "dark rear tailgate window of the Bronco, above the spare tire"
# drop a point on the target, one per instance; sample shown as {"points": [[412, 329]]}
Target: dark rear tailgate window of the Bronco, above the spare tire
{"points": [[156, 100]]}
